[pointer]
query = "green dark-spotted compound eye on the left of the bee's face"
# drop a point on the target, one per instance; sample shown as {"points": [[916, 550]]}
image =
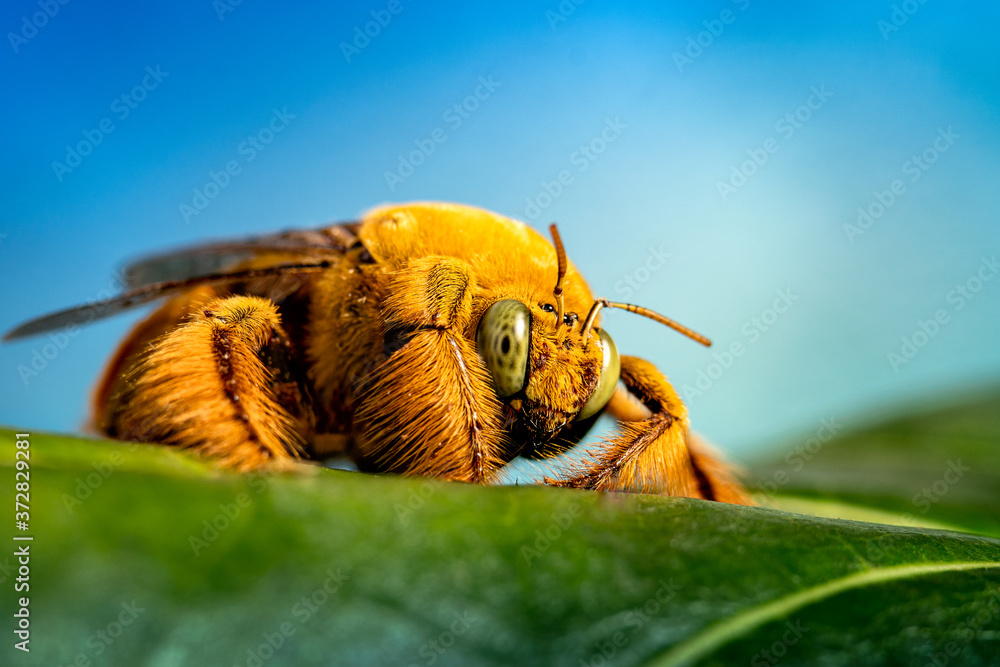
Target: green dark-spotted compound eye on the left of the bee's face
{"points": [[503, 338]]}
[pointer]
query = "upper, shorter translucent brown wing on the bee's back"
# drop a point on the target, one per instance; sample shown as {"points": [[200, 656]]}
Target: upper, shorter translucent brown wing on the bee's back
{"points": [[213, 258]]}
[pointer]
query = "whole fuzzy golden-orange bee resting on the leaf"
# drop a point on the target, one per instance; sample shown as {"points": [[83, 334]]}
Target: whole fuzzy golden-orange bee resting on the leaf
{"points": [[427, 339]]}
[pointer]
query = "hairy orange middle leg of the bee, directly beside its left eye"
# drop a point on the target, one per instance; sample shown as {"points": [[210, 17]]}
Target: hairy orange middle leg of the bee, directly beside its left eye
{"points": [[430, 409]]}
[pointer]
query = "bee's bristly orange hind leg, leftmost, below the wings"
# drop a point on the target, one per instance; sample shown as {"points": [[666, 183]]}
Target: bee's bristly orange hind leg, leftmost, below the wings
{"points": [[210, 385]]}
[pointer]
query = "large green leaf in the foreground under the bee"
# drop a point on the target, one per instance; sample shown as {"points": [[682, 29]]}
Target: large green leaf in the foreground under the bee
{"points": [[142, 556]]}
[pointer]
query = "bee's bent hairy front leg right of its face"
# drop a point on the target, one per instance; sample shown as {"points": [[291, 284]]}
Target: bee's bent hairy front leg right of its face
{"points": [[654, 451]]}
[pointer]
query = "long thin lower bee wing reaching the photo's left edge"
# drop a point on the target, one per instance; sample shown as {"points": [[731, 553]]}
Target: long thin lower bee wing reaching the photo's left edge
{"points": [[87, 313]]}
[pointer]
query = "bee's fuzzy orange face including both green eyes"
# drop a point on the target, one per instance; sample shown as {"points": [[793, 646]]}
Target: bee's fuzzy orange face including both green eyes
{"points": [[548, 374]]}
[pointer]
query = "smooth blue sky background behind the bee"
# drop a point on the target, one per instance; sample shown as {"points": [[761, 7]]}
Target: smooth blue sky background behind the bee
{"points": [[687, 125]]}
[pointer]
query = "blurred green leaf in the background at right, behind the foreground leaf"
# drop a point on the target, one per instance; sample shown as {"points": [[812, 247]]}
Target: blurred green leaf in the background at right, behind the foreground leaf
{"points": [[937, 466]]}
